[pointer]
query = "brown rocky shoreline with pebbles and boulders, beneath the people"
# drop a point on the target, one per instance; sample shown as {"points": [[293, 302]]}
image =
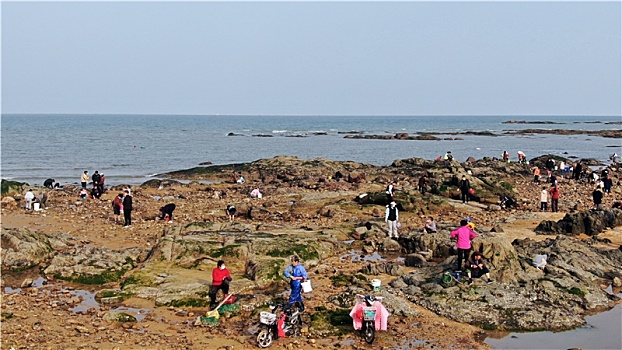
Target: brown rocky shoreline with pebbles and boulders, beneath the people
{"points": [[329, 213]]}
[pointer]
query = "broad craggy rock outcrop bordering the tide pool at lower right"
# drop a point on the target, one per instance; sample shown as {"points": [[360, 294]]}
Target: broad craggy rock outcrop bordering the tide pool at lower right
{"points": [[521, 296]]}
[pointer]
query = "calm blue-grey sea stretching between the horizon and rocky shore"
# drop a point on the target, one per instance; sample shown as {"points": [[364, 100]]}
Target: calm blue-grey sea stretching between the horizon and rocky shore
{"points": [[129, 149]]}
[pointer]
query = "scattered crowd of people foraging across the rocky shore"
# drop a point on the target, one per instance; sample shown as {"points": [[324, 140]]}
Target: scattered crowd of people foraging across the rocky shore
{"points": [[473, 263]]}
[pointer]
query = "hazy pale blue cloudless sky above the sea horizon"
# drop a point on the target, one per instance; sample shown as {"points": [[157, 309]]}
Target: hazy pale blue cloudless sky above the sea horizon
{"points": [[312, 58]]}
